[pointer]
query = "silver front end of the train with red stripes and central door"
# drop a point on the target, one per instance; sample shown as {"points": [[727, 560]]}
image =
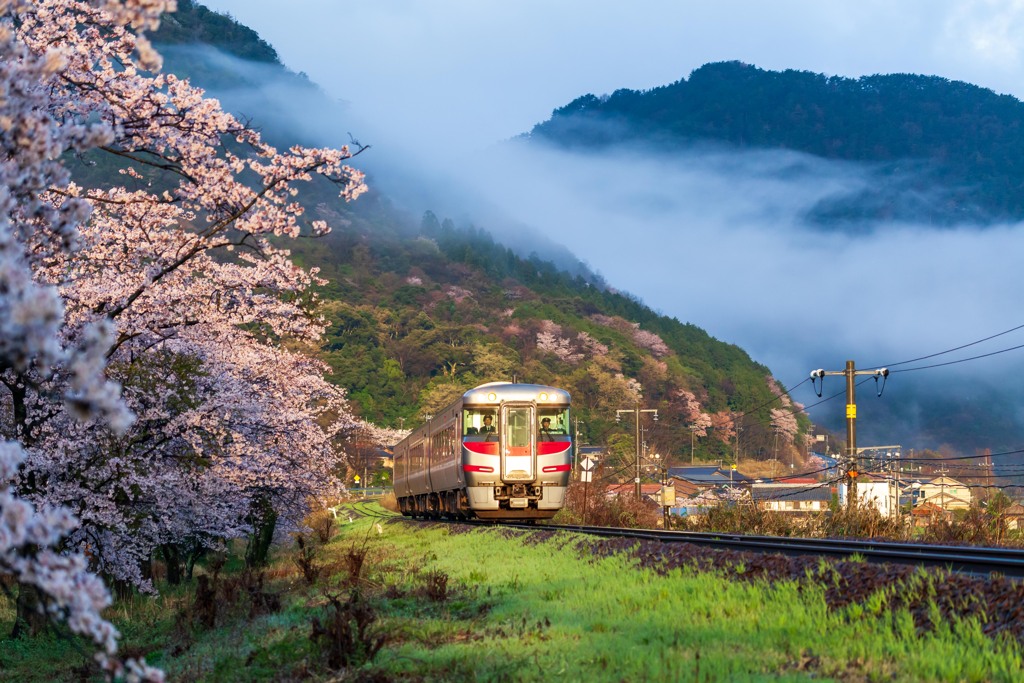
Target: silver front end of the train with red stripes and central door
{"points": [[517, 451]]}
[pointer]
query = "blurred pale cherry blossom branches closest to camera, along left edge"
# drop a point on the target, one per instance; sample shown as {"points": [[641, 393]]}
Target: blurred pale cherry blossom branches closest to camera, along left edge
{"points": [[33, 137]]}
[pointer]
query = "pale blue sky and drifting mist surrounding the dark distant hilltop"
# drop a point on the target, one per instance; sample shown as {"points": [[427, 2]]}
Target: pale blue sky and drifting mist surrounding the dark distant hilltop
{"points": [[717, 242]]}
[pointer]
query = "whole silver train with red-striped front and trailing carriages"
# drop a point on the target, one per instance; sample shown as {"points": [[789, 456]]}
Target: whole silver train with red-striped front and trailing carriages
{"points": [[501, 452]]}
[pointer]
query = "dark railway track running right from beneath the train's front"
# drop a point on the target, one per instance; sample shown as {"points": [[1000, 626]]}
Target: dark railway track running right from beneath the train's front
{"points": [[977, 561]]}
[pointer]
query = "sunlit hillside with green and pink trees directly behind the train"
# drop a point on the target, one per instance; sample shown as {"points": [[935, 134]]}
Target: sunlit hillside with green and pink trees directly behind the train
{"points": [[417, 320]]}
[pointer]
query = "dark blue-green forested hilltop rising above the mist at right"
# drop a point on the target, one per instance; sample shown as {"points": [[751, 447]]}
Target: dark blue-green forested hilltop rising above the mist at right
{"points": [[946, 151]]}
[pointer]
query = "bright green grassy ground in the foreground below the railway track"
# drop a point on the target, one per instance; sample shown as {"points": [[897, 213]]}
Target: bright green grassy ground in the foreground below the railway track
{"points": [[495, 606]]}
